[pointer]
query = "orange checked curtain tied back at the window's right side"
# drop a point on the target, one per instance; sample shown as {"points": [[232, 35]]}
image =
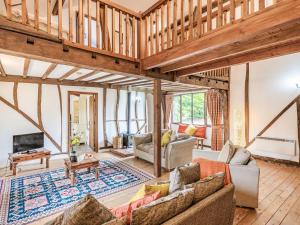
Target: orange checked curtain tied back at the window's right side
{"points": [[214, 103]]}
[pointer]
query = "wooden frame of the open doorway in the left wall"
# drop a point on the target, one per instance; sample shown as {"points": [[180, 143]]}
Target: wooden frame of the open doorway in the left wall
{"points": [[95, 94]]}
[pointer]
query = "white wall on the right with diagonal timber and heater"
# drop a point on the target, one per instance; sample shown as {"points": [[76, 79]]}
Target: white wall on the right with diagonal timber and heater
{"points": [[272, 86]]}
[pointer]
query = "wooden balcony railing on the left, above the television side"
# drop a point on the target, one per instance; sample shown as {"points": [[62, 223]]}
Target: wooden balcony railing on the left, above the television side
{"points": [[94, 25]]}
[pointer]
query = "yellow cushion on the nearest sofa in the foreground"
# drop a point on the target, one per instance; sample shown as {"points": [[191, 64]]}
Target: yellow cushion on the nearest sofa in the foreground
{"points": [[149, 189]]}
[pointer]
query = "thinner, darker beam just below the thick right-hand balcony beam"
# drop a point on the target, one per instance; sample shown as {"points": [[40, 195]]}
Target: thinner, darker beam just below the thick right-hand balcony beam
{"points": [[262, 54]]}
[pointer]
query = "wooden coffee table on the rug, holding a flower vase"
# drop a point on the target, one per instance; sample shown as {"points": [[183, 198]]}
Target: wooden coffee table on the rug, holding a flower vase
{"points": [[72, 167]]}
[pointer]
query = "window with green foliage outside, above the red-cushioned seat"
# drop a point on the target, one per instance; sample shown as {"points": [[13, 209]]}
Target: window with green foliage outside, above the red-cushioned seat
{"points": [[189, 108]]}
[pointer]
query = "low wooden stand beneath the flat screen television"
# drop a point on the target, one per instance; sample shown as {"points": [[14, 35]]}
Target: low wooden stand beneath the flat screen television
{"points": [[16, 158]]}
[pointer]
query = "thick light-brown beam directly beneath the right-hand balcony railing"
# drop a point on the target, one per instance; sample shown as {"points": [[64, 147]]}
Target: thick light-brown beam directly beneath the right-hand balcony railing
{"points": [[263, 21]]}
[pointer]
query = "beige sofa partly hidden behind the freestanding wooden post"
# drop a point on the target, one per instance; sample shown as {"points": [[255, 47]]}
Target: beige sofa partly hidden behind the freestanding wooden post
{"points": [[177, 153]]}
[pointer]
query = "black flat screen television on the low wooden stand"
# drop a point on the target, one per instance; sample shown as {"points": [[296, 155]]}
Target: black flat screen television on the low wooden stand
{"points": [[28, 142]]}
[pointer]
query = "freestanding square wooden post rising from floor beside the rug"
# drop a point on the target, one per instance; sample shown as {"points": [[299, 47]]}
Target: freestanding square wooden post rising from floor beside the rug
{"points": [[157, 127]]}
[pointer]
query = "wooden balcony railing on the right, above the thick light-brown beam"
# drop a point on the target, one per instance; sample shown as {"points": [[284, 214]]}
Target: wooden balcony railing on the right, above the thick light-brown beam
{"points": [[171, 22]]}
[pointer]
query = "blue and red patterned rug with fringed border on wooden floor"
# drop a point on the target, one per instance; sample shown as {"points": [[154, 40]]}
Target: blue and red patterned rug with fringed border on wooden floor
{"points": [[24, 199]]}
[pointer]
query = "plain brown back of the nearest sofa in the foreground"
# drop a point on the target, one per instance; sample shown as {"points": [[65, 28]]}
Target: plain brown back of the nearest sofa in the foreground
{"points": [[216, 209]]}
